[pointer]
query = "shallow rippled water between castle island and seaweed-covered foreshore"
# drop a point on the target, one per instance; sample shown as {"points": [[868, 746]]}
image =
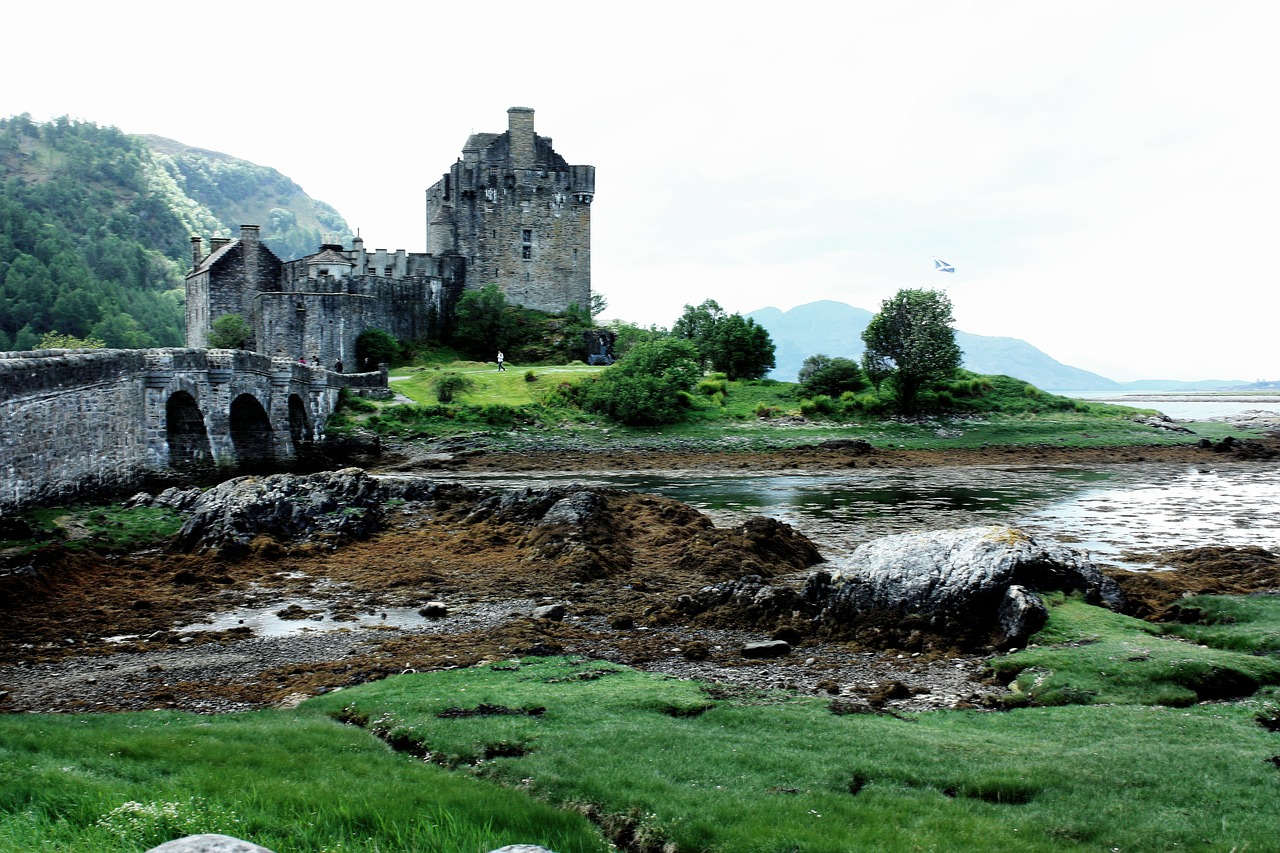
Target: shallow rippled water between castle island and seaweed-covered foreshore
{"points": [[1119, 510]]}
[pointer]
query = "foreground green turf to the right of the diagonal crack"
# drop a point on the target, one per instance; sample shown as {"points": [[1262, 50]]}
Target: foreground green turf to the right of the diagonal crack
{"points": [[781, 773]]}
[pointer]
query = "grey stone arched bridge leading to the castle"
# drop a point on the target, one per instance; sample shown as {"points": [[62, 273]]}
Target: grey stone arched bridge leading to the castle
{"points": [[77, 421]]}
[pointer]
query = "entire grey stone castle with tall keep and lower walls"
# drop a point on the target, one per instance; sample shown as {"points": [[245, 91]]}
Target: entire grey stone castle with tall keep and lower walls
{"points": [[510, 212]]}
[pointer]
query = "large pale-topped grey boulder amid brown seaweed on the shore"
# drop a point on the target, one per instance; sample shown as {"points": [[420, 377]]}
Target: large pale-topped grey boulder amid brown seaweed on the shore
{"points": [[972, 590]]}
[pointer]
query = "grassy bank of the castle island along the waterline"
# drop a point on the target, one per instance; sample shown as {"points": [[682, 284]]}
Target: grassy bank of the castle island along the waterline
{"points": [[524, 408]]}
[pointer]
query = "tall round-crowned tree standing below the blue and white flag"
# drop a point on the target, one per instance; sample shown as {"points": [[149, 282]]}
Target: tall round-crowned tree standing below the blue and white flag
{"points": [[912, 344]]}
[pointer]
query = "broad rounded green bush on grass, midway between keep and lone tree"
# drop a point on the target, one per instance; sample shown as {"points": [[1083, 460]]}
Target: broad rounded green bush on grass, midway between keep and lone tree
{"points": [[646, 386]]}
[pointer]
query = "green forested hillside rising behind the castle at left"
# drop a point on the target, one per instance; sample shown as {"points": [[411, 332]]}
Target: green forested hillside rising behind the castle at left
{"points": [[95, 229]]}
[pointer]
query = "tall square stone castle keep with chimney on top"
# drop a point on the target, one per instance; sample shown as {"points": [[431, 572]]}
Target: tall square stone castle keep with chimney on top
{"points": [[519, 215]]}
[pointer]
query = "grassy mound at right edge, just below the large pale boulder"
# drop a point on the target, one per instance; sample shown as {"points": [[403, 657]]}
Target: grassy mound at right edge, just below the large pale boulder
{"points": [[1092, 655]]}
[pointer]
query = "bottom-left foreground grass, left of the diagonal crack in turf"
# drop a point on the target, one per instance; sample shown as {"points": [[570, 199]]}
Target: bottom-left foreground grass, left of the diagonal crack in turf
{"points": [[290, 782]]}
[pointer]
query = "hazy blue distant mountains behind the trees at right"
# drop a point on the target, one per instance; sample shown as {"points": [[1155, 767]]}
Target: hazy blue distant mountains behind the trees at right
{"points": [[836, 330]]}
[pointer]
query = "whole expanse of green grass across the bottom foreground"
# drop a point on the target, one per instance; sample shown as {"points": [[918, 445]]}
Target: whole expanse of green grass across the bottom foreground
{"points": [[655, 760]]}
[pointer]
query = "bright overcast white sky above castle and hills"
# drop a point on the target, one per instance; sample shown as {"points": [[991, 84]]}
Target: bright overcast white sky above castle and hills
{"points": [[1103, 176]]}
